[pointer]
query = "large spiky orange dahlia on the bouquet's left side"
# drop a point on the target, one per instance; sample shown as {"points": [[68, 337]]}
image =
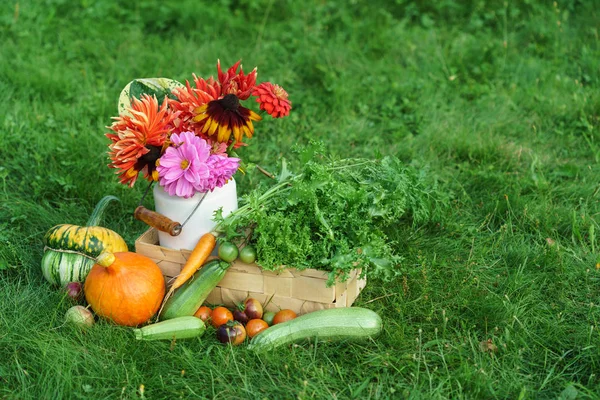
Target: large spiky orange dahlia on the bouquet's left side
{"points": [[138, 138]]}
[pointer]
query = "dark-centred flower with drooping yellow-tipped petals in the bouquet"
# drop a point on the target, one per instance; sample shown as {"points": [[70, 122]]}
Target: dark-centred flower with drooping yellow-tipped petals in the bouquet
{"points": [[226, 117]]}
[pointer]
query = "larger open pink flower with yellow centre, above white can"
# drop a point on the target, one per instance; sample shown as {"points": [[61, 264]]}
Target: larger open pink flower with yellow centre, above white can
{"points": [[183, 169]]}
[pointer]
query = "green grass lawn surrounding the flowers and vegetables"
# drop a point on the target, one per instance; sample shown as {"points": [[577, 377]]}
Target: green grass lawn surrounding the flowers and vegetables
{"points": [[499, 101]]}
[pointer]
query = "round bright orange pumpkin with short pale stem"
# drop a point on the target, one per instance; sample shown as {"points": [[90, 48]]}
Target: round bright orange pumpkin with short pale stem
{"points": [[125, 287]]}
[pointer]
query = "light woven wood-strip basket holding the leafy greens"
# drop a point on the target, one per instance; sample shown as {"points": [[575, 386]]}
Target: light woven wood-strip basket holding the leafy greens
{"points": [[302, 291]]}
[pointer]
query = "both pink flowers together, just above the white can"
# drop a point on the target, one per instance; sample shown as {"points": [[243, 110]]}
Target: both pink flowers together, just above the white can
{"points": [[187, 166]]}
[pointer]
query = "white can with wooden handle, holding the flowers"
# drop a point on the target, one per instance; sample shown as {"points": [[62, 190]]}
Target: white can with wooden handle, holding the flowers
{"points": [[201, 221]]}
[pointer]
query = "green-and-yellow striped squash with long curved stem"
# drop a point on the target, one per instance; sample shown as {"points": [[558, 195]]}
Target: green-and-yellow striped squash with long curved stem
{"points": [[70, 250]]}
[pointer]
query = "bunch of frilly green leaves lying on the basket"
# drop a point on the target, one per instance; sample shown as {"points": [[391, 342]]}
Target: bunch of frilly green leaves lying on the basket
{"points": [[333, 215]]}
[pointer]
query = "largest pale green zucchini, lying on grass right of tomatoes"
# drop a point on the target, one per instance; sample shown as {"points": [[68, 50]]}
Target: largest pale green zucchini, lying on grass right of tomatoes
{"points": [[353, 323]]}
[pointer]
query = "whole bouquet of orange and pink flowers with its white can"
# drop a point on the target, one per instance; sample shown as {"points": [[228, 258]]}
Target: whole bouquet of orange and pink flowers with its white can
{"points": [[186, 137]]}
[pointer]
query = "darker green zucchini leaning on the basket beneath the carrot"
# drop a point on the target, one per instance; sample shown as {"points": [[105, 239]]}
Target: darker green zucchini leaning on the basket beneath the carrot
{"points": [[189, 297]]}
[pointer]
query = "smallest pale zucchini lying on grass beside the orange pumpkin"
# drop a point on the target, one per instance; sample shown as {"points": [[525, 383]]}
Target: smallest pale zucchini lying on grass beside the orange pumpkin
{"points": [[176, 328]]}
